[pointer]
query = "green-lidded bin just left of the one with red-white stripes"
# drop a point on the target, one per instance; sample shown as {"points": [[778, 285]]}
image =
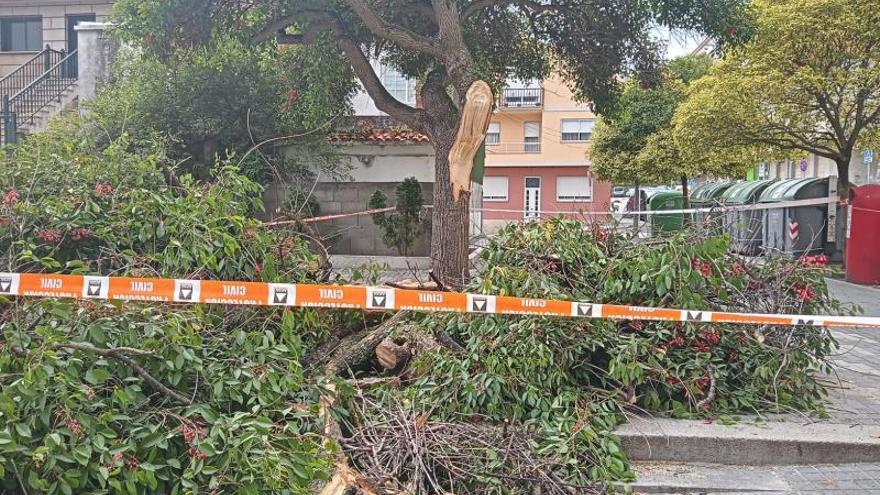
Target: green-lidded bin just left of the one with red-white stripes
{"points": [[745, 226]]}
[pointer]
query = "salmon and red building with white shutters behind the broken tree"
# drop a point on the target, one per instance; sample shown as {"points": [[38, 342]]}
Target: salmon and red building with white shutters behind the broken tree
{"points": [[536, 163]]}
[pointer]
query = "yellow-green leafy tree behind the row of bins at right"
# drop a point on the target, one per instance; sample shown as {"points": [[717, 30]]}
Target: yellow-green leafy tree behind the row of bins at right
{"points": [[808, 82]]}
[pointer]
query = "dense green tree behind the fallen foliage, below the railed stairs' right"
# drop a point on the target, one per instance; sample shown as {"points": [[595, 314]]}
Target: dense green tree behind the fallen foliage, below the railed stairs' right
{"points": [[224, 98]]}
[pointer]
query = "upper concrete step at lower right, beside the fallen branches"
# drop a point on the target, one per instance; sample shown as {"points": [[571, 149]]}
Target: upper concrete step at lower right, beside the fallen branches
{"points": [[775, 443]]}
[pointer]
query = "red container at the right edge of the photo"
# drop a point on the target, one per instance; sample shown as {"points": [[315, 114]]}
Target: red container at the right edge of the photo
{"points": [[863, 235]]}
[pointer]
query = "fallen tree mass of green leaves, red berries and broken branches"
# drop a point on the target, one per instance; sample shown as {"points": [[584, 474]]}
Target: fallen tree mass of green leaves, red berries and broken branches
{"points": [[156, 398]]}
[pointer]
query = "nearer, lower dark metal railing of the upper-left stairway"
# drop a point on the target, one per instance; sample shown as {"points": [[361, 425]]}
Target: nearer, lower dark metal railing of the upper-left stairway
{"points": [[45, 88]]}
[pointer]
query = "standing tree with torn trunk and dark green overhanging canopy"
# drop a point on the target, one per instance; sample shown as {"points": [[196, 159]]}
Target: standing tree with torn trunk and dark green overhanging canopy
{"points": [[448, 45]]}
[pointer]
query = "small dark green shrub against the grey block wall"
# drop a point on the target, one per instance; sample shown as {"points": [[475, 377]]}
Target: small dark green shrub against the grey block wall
{"points": [[408, 222]]}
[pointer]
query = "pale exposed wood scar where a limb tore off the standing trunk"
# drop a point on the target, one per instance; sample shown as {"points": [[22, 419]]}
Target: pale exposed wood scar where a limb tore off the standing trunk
{"points": [[475, 117]]}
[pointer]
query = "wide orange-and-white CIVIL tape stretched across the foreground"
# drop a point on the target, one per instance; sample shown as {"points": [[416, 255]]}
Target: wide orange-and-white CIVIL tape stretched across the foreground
{"points": [[373, 298]]}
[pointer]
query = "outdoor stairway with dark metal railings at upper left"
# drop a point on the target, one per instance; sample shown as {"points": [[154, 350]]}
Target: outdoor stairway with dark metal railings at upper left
{"points": [[34, 90]]}
